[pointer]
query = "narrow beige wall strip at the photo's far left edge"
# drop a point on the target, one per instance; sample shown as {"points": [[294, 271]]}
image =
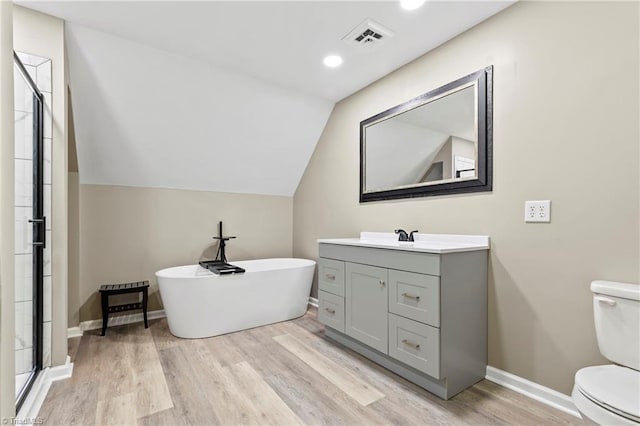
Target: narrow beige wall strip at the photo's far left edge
{"points": [[7, 223]]}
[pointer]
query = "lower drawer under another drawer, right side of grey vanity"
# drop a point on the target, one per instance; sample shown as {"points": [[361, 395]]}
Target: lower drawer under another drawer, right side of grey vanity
{"points": [[415, 344]]}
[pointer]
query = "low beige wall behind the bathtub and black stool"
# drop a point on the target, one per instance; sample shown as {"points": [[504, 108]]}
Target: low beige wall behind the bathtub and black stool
{"points": [[127, 233]]}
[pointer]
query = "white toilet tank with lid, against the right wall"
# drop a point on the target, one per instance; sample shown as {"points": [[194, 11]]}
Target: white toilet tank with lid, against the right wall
{"points": [[616, 309]]}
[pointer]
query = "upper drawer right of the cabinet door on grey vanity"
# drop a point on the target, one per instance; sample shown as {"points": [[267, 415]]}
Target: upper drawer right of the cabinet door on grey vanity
{"points": [[415, 296]]}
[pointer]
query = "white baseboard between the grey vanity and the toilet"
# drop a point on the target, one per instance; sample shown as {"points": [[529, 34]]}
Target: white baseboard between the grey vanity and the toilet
{"points": [[533, 390]]}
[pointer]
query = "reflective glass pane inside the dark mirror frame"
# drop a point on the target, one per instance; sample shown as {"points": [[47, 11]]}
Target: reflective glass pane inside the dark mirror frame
{"points": [[428, 144]]}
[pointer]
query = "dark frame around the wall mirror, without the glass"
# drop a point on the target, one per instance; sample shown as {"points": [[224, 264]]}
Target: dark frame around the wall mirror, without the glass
{"points": [[483, 181]]}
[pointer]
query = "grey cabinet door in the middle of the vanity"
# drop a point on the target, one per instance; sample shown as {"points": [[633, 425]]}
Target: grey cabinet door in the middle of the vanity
{"points": [[366, 305]]}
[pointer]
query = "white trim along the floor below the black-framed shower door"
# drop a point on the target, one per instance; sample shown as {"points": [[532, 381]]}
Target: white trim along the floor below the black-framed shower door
{"points": [[32, 404]]}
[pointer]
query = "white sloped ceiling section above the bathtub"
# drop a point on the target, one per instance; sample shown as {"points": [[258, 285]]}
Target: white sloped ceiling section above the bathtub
{"points": [[146, 117]]}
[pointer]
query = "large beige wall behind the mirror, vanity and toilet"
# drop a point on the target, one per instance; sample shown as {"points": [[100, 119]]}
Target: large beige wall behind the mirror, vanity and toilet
{"points": [[565, 129]]}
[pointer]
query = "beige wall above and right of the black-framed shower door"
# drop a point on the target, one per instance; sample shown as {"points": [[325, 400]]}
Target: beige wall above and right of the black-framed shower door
{"points": [[43, 35]]}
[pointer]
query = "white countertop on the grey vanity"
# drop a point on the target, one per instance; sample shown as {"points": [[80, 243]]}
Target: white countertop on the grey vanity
{"points": [[426, 243]]}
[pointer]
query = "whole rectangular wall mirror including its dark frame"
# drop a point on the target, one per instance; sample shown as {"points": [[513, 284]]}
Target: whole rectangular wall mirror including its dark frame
{"points": [[435, 144]]}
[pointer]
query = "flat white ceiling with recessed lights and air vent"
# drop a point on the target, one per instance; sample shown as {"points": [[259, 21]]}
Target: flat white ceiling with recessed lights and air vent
{"points": [[282, 42]]}
